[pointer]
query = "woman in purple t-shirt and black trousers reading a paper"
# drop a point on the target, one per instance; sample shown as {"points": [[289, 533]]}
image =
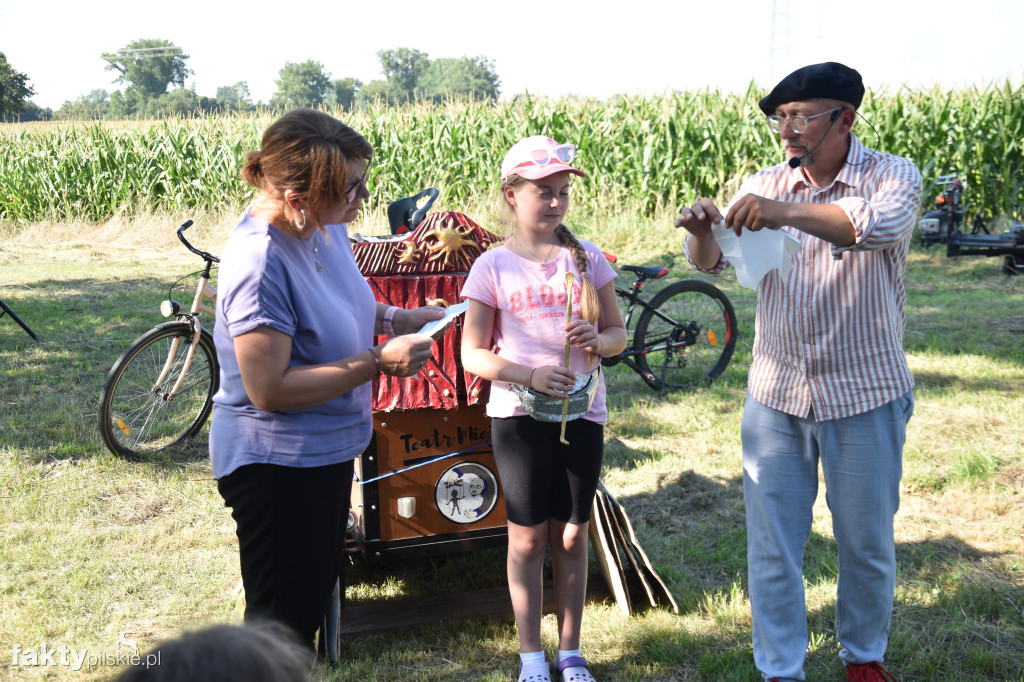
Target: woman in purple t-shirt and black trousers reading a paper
{"points": [[294, 334]]}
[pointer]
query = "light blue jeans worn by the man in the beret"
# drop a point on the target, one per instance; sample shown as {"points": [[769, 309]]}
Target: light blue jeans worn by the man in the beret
{"points": [[862, 460]]}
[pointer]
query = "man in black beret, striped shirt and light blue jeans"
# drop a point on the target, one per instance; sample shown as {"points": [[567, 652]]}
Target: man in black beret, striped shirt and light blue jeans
{"points": [[829, 385]]}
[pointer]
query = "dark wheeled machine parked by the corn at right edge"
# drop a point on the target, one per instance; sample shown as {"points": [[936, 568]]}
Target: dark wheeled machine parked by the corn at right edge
{"points": [[944, 226]]}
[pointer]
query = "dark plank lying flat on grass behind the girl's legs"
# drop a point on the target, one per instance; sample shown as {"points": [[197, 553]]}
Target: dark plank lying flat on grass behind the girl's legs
{"points": [[390, 616]]}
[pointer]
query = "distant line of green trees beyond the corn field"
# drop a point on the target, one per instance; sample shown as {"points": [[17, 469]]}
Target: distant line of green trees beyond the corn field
{"points": [[154, 74]]}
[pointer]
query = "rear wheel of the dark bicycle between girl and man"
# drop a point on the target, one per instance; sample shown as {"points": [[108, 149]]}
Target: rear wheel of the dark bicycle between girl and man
{"points": [[687, 337]]}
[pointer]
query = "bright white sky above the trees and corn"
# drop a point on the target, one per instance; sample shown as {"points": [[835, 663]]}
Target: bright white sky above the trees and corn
{"points": [[594, 49]]}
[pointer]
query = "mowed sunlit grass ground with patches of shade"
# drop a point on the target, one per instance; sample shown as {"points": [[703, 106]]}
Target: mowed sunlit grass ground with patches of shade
{"points": [[93, 546]]}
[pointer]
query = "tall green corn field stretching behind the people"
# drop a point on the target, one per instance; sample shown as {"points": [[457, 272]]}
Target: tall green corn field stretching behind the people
{"points": [[641, 154]]}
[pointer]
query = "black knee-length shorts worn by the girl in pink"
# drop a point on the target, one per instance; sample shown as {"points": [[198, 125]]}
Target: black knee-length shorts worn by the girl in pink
{"points": [[543, 479]]}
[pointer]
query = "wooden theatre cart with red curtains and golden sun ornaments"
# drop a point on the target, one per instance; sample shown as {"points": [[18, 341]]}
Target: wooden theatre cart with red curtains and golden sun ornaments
{"points": [[428, 485]]}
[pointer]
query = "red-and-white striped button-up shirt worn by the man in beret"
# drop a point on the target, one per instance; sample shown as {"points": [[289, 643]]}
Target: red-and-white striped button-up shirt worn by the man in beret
{"points": [[830, 336]]}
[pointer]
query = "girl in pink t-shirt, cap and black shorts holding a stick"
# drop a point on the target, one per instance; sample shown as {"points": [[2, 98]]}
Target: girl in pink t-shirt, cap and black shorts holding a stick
{"points": [[516, 333]]}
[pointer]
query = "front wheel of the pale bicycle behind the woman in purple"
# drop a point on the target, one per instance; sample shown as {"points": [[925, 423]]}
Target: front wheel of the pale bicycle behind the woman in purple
{"points": [[136, 416]]}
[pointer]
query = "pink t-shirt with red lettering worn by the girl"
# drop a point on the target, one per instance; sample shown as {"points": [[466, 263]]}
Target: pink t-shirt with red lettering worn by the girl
{"points": [[530, 325]]}
